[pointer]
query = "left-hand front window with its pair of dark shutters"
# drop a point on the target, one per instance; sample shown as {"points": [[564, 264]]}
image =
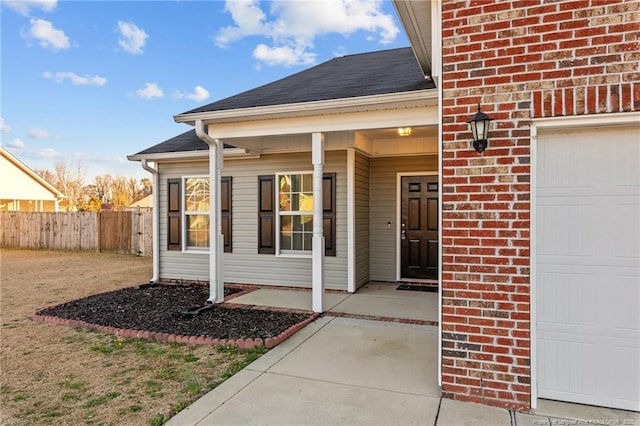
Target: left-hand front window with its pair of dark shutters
{"points": [[193, 212]]}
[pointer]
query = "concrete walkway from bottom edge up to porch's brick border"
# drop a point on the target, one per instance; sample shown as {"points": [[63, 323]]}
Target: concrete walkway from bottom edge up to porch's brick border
{"points": [[336, 371]]}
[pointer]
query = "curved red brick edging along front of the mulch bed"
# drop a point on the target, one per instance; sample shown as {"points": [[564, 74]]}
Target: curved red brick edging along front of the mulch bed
{"points": [[248, 343]]}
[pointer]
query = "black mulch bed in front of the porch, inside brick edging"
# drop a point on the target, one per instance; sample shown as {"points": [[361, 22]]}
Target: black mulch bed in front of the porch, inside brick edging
{"points": [[159, 308]]}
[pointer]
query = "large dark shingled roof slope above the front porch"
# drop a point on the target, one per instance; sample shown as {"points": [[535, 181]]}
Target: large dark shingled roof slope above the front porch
{"points": [[364, 74]]}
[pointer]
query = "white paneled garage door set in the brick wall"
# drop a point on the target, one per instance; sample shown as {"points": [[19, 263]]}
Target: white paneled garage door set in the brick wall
{"points": [[588, 266]]}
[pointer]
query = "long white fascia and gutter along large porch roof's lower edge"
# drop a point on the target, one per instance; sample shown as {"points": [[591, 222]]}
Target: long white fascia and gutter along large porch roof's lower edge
{"points": [[333, 106]]}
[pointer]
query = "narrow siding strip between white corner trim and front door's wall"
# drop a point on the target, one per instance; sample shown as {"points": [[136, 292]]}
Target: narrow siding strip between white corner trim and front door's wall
{"points": [[362, 165]]}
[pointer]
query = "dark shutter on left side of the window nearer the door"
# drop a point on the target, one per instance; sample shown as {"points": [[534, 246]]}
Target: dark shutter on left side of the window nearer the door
{"points": [[266, 214]]}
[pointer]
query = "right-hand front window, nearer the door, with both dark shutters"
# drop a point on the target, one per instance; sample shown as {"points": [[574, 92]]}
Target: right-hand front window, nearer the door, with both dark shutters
{"points": [[292, 215]]}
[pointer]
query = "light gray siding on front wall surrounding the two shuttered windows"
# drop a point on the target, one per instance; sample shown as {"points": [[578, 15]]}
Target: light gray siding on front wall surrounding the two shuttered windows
{"points": [[244, 264]]}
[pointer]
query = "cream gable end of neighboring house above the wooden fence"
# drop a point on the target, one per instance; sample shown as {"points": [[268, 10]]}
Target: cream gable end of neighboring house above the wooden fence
{"points": [[12, 187]]}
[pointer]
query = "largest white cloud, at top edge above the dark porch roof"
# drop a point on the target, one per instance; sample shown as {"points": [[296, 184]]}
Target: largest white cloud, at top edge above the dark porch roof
{"points": [[293, 26]]}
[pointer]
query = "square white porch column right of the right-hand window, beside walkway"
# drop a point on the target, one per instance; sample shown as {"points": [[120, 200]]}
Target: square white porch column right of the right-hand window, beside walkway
{"points": [[317, 148]]}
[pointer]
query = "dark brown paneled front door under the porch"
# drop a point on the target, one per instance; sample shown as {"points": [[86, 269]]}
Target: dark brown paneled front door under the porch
{"points": [[419, 227]]}
